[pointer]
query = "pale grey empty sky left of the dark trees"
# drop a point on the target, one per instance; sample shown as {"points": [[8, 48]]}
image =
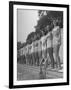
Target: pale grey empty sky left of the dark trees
{"points": [[26, 20]]}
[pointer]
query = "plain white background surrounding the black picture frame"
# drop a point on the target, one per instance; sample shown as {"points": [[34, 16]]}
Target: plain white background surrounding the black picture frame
{"points": [[4, 44]]}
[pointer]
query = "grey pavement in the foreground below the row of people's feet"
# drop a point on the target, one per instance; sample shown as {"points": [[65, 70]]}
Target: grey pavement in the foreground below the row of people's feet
{"points": [[26, 72]]}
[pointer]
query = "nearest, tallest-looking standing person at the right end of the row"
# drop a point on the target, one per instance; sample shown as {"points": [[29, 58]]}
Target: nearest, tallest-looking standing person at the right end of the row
{"points": [[57, 44]]}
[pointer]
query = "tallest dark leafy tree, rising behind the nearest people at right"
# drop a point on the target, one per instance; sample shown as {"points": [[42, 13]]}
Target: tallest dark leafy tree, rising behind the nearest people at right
{"points": [[51, 18]]}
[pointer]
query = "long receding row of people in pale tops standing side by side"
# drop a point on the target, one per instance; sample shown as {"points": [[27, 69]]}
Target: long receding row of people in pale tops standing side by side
{"points": [[49, 48]]}
